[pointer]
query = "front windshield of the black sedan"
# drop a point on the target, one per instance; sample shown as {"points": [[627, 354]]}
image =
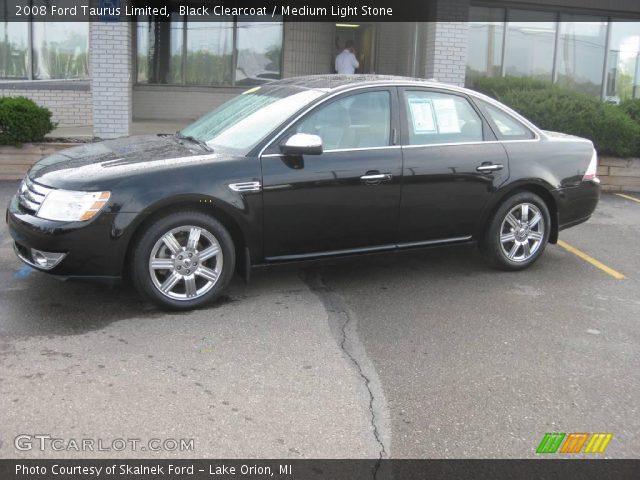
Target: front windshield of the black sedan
{"points": [[242, 122]]}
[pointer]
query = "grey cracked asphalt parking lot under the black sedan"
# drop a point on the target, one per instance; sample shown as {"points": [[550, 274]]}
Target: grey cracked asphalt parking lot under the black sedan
{"points": [[428, 354]]}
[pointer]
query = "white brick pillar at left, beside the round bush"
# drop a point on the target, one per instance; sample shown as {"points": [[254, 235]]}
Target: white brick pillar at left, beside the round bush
{"points": [[111, 75]]}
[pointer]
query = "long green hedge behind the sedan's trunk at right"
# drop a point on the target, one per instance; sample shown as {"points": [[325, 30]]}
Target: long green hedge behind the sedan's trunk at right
{"points": [[613, 129]]}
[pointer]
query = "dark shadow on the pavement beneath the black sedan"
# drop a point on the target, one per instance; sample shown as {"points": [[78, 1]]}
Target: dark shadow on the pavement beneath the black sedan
{"points": [[37, 304]]}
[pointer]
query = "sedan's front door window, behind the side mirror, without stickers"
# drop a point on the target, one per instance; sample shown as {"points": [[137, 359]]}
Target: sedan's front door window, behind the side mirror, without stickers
{"points": [[362, 120]]}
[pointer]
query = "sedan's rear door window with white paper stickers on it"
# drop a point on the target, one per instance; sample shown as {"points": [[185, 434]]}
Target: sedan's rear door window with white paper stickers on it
{"points": [[437, 118]]}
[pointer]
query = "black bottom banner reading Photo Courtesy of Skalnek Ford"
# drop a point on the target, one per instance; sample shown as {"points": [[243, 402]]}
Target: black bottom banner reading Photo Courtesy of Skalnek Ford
{"points": [[320, 469]]}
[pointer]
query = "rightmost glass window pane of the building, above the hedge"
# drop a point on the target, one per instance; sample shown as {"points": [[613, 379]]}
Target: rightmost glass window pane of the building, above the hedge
{"points": [[623, 64]]}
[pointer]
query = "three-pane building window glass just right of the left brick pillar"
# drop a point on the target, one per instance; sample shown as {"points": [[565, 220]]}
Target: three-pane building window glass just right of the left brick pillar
{"points": [[195, 52]]}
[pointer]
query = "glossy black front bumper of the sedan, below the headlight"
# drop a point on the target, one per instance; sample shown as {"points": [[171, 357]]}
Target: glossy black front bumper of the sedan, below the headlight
{"points": [[91, 249]]}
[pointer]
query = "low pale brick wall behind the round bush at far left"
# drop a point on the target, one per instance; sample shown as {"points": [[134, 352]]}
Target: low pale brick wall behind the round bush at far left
{"points": [[69, 107]]}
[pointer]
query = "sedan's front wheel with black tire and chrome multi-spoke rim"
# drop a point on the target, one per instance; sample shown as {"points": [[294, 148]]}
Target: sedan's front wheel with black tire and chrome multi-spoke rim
{"points": [[198, 254]]}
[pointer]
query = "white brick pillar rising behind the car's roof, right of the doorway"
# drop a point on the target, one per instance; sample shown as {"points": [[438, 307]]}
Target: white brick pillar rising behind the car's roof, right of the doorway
{"points": [[446, 38]]}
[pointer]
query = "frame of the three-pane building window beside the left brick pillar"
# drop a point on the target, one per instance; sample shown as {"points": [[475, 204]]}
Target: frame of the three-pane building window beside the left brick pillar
{"points": [[183, 67]]}
